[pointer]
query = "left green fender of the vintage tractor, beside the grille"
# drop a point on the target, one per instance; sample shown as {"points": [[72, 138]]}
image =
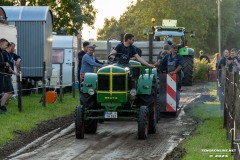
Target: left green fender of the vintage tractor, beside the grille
{"points": [[90, 82]]}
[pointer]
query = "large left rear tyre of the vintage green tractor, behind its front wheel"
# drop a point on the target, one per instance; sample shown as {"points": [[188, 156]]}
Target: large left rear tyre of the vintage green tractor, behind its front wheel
{"points": [[89, 102]]}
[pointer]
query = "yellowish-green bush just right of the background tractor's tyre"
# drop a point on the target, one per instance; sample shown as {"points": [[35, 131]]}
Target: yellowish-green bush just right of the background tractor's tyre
{"points": [[200, 73]]}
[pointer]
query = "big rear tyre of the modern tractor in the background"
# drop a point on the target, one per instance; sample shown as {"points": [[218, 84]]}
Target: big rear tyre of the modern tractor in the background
{"points": [[188, 71]]}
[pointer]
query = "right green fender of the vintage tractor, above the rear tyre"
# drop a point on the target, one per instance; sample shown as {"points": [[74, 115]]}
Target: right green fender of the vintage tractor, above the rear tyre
{"points": [[145, 84]]}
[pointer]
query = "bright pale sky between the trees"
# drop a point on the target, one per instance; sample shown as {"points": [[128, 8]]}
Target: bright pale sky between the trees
{"points": [[105, 9]]}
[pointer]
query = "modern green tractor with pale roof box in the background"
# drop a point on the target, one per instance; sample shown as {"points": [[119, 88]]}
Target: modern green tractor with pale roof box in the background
{"points": [[170, 33]]}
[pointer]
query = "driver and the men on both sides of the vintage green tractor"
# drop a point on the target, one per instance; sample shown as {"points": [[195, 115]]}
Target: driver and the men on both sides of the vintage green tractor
{"points": [[169, 61]]}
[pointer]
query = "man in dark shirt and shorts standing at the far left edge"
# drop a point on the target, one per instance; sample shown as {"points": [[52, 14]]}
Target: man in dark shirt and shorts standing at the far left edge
{"points": [[8, 87]]}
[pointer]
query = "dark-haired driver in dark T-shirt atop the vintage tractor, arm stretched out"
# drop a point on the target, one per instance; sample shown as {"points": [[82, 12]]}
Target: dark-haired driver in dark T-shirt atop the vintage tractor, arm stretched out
{"points": [[128, 50]]}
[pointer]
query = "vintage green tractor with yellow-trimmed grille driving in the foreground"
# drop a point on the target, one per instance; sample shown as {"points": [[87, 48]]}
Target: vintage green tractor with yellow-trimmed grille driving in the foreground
{"points": [[118, 92]]}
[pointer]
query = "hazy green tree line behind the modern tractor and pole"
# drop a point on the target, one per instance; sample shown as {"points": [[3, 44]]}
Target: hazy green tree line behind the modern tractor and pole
{"points": [[198, 16]]}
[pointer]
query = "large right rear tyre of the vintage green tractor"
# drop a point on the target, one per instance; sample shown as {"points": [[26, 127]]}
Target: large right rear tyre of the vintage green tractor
{"points": [[148, 100]]}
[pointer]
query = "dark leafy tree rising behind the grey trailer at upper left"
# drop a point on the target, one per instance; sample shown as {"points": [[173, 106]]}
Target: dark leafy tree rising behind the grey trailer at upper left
{"points": [[68, 14]]}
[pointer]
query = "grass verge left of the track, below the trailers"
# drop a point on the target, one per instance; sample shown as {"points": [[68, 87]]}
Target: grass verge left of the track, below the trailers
{"points": [[33, 113]]}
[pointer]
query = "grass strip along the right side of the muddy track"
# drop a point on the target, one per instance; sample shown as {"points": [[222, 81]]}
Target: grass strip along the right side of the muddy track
{"points": [[210, 134]]}
